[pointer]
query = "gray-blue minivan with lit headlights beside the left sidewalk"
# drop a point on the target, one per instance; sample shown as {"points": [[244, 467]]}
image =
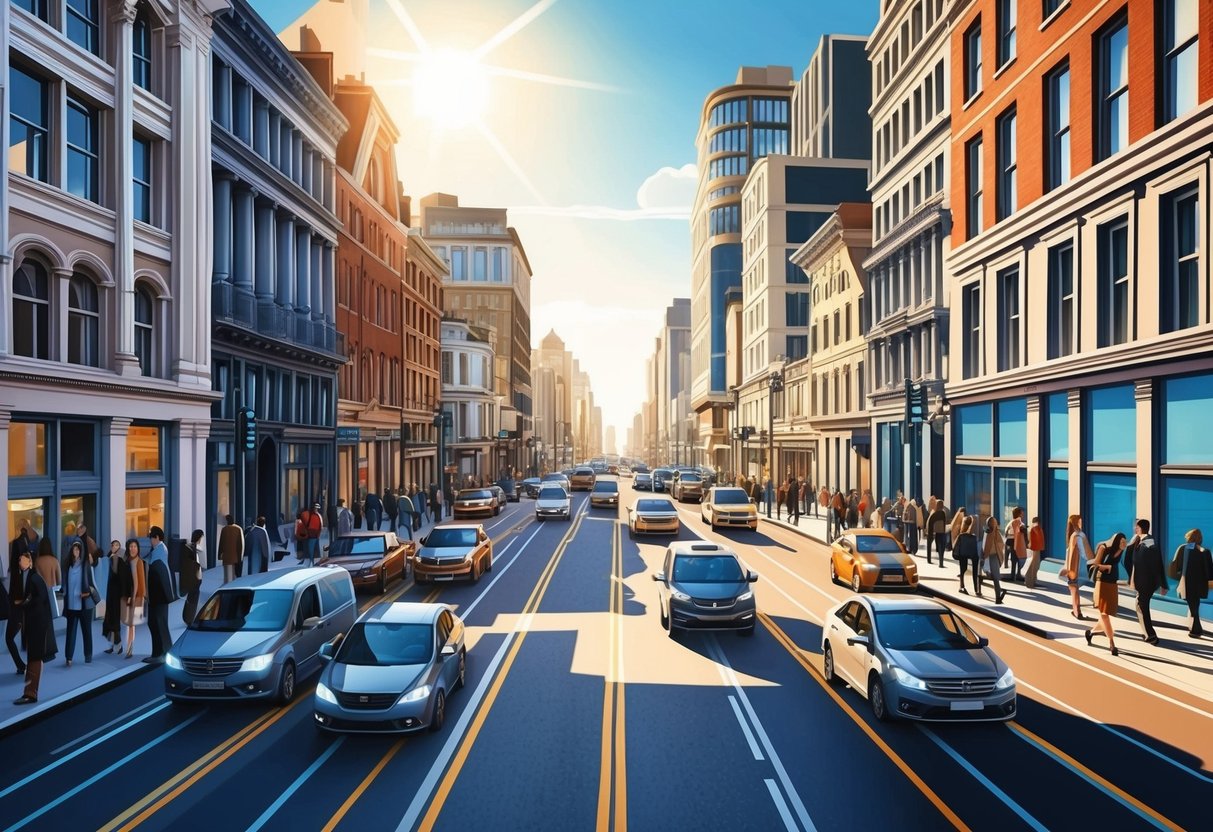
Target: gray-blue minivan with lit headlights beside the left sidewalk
{"points": [[259, 635]]}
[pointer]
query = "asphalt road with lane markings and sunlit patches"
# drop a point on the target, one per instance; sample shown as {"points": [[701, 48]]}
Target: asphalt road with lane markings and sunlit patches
{"points": [[580, 714]]}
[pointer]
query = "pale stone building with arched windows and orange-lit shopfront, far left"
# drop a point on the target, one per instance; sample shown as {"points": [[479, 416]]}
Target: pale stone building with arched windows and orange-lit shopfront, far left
{"points": [[105, 345]]}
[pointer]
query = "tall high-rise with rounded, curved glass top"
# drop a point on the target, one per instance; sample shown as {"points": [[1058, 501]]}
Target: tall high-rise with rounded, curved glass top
{"points": [[739, 124]]}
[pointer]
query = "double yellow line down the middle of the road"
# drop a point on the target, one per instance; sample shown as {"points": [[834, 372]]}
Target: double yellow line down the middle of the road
{"points": [[613, 770]]}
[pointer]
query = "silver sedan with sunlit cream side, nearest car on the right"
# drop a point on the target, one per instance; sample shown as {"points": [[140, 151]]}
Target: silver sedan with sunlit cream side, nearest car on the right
{"points": [[915, 659]]}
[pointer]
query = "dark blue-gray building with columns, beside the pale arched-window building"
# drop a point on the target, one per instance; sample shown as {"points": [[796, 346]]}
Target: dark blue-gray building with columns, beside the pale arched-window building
{"points": [[275, 134]]}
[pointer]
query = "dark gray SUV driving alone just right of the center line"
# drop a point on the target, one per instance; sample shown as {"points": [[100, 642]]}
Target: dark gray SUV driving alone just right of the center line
{"points": [[705, 586]]}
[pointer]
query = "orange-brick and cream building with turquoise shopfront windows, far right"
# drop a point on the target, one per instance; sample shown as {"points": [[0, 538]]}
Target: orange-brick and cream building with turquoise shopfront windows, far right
{"points": [[1081, 277]]}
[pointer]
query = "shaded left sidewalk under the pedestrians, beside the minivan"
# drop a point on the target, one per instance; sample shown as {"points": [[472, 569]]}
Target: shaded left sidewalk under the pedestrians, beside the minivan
{"points": [[61, 685]]}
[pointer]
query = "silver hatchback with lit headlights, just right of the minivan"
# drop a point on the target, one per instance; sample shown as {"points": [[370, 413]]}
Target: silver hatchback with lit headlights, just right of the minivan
{"points": [[394, 671]]}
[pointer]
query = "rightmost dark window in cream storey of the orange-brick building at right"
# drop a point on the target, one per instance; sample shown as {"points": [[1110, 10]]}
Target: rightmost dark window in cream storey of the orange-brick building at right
{"points": [[1180, 275]]}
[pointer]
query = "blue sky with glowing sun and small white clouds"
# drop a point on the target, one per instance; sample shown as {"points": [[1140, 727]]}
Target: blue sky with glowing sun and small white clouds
{"points": [[580, 118]]}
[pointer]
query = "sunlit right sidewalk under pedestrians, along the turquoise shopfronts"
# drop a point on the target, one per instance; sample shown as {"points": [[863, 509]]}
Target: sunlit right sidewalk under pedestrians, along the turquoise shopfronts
{"points": [[1045, 612]]}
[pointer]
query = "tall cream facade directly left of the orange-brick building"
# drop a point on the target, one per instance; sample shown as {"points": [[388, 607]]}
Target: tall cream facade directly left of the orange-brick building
{"points": [[908, 298]]}
